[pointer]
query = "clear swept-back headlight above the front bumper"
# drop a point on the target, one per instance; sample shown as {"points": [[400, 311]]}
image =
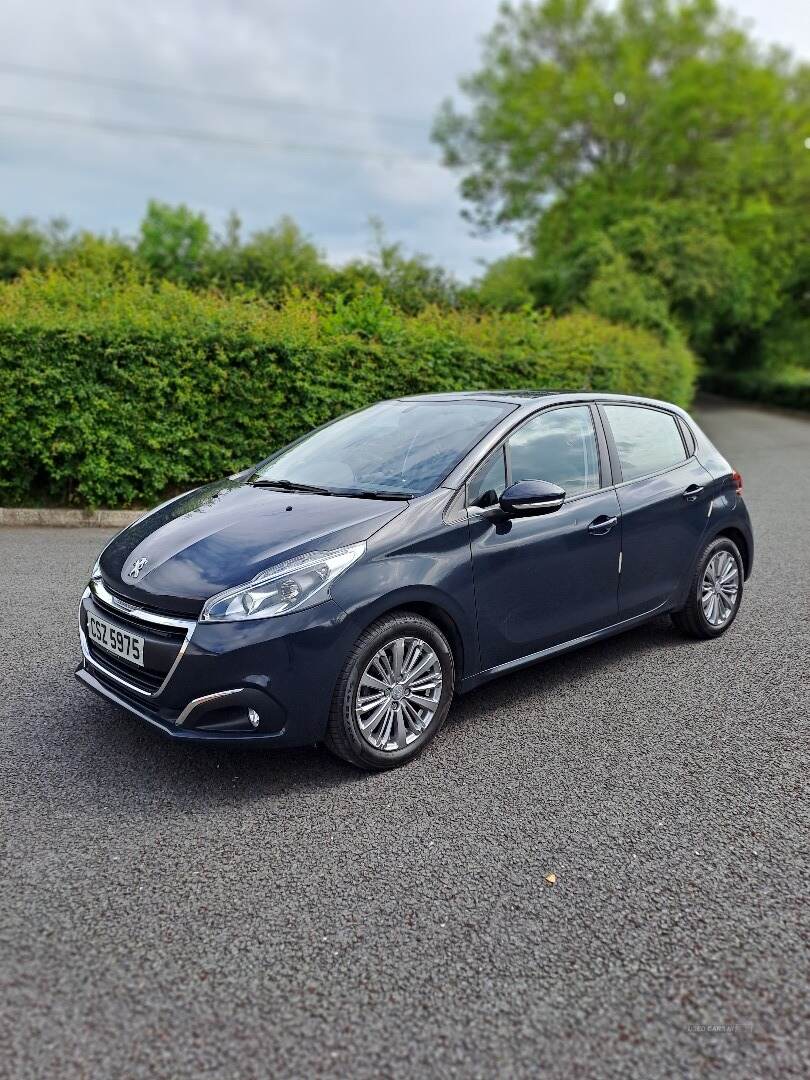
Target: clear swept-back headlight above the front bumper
{"points": [[289, 587]]}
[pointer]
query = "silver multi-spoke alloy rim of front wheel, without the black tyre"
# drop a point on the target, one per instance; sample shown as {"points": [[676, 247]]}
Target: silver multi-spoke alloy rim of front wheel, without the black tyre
{"points": [[399, 694]]}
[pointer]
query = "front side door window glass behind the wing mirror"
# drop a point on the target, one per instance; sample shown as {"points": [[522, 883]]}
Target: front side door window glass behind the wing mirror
{"points": [[558, 447]]}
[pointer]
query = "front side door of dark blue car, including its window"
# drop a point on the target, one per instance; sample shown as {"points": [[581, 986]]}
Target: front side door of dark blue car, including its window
{"points": [[544, 580]]}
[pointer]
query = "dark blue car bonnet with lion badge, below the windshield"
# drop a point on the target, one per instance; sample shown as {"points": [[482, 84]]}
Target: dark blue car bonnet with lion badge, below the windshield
{"points": [[225, 534]]}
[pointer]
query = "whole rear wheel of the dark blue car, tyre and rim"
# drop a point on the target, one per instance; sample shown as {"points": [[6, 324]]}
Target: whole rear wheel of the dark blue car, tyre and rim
{"points": [[715, 591]]}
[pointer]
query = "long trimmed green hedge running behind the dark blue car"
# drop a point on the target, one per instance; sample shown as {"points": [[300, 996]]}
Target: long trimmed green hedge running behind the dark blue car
{"points": [[116, 393]]}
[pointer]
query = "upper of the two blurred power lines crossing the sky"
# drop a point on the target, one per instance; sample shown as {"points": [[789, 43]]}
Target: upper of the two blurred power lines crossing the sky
{"points": [[276, 104]]}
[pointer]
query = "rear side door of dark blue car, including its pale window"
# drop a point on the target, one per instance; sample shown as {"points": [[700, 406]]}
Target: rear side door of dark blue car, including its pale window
{"points": [[665, 502]]}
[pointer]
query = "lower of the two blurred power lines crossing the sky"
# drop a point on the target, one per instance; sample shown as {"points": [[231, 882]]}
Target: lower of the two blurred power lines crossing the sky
{"points": [[196, 136]]}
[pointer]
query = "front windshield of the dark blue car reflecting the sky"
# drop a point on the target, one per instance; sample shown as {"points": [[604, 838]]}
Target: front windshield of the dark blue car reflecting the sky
{"points": [[394, 449]]}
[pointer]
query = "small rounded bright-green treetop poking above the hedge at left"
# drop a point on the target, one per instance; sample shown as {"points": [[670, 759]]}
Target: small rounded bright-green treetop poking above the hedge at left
{"points": [[174, 241]]}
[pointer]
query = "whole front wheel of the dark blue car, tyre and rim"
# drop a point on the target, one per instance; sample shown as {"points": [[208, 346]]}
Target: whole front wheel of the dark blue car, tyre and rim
{"points": [[394, 694]]}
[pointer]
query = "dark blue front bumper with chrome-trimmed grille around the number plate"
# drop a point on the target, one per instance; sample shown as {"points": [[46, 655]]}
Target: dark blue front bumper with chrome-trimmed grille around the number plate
{"points": [[283, 669]]}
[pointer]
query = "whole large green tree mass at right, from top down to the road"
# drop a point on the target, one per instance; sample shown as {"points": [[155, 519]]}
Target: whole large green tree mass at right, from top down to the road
{"points": [[652, 157]]}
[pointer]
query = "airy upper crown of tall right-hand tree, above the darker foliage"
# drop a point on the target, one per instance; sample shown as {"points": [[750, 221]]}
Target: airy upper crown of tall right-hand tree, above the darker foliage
{"points": [[655, 100]]}
